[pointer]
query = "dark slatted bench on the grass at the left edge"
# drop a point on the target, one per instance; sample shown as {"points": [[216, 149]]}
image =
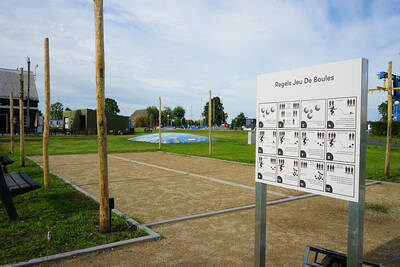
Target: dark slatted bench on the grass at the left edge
{"points": [[13, 184]]}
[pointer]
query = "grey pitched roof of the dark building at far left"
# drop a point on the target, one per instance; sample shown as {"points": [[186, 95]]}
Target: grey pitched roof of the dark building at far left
{"points": [[9, 81]]}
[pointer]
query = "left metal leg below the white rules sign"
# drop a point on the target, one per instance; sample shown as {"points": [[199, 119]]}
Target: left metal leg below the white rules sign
{"points": [[260, 219]]}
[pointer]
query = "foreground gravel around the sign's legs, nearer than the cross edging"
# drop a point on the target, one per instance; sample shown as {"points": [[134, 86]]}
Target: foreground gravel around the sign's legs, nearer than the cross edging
{"points": [[228, 239]]}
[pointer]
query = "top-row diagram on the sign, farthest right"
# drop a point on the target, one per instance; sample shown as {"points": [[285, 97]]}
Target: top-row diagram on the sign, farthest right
{"points": [[341, 113]]}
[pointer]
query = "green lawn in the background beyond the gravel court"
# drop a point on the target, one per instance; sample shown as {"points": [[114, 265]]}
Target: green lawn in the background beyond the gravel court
{"points": [[231, 145]]}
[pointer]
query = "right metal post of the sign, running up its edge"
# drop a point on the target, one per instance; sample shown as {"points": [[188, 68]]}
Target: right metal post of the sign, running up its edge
{"points": [[356, 209]]}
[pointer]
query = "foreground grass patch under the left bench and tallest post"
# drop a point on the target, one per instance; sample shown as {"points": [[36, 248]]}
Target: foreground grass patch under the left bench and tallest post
{"points": [[71, 217]]}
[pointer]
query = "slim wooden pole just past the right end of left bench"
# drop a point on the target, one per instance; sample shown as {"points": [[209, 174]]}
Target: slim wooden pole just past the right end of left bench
{"points": [[46, 127]]}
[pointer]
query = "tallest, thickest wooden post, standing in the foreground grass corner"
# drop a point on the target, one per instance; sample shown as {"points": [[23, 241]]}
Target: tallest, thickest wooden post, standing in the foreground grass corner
{"points": [[101, 117]]}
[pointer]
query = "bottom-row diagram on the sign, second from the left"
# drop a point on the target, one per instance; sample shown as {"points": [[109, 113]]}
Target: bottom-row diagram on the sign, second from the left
{"points": [[288, 171]]}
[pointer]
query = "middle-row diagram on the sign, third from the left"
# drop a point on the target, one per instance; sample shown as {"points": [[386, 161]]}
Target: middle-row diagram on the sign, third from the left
{"points": [[312, 144]]}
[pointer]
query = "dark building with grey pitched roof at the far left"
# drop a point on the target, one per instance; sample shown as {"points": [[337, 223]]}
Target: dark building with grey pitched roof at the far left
{"points": [[9, 81]]}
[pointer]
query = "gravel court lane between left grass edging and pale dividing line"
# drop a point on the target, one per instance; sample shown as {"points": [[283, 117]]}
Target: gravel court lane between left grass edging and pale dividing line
{"points": [[148, 193]]}
